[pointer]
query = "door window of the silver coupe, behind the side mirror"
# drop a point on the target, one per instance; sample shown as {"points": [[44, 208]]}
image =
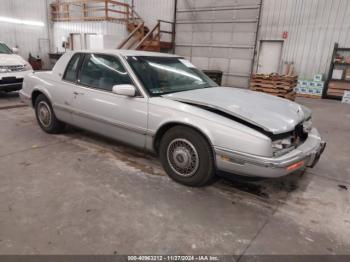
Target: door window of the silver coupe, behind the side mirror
{"points": [[103, 72]]}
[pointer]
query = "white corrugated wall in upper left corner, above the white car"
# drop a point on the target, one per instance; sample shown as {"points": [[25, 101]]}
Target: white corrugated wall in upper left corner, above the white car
{"points": [[29, 39]]}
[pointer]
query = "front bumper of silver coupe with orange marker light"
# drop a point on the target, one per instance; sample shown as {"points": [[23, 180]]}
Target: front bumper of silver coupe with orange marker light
{"points": [[306, 155]]}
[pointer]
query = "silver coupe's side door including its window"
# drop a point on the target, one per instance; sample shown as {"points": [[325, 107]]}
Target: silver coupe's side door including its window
{"points": [[96, 108]]}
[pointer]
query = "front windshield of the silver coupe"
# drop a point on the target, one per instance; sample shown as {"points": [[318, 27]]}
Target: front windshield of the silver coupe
{"points": [[166, 75]]}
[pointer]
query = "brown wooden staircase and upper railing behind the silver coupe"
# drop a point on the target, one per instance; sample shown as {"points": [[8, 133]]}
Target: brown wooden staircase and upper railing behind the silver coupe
{"points": [[160, 38]]}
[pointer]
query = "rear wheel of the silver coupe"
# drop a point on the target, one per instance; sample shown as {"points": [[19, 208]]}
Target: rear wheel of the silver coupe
{"points": [[46, 117]]}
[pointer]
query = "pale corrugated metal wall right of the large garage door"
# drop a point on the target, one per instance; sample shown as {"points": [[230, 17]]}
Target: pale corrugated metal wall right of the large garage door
{"points": [[313, 27]]}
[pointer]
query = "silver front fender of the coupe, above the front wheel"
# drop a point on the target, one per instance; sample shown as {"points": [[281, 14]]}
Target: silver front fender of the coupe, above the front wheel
{"points": [[220, 131]]}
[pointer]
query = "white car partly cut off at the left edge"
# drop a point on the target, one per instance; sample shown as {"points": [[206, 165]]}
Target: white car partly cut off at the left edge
{"points": [[13, 68]]}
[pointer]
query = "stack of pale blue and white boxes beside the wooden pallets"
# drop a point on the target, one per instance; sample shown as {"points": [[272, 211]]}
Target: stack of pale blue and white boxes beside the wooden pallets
{"points": [[312, 89]]}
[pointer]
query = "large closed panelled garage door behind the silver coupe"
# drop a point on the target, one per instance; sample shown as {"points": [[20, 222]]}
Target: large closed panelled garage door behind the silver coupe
{"points": [[219, 35]]}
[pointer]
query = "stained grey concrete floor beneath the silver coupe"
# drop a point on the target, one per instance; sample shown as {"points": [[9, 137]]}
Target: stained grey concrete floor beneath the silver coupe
{"points": [[78, 193]]}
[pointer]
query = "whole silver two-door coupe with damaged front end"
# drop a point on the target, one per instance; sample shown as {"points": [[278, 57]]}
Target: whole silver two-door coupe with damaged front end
{"points": [[164, 104]]}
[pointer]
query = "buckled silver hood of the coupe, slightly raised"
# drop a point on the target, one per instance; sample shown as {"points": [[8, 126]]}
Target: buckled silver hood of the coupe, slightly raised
{"points": [[273, 114]]}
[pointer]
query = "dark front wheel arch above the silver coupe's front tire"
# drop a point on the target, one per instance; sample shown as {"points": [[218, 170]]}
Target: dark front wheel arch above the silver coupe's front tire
{"points": [[167, 126]]}
